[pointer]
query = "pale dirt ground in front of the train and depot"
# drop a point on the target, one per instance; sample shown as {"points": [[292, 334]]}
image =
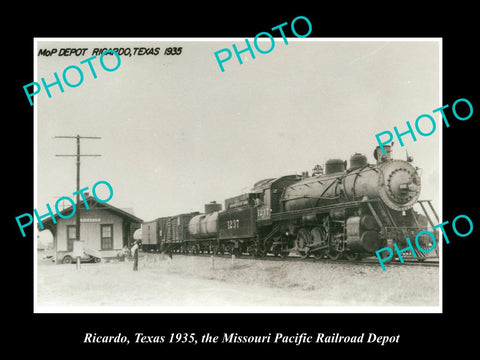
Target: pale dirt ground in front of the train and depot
{"points": [[190, 281]]}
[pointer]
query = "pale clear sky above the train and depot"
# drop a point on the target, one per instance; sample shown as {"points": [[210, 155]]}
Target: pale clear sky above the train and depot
{"points": [[177, 133]]}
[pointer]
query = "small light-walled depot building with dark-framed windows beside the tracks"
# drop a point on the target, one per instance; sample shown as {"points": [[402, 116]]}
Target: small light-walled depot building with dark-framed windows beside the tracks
{"points": [[104, 231]]}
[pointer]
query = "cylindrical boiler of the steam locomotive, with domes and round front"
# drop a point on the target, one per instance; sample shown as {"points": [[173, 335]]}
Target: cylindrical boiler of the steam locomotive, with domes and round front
{"points": [[395, 182]]}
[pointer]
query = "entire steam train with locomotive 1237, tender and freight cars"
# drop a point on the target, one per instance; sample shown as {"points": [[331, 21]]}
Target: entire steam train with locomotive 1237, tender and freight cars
{"points": [[349, 212]]}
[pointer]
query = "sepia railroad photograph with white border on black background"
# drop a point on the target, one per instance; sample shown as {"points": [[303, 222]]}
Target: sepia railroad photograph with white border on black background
{"points": [[249, 182]]}
